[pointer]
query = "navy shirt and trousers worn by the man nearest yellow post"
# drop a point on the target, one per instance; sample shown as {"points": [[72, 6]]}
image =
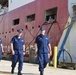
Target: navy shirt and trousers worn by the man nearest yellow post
{"points": [[42, 44]]}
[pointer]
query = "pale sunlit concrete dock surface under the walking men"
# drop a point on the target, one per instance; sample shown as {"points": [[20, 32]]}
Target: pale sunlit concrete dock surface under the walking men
{"points": [[32, 69]]}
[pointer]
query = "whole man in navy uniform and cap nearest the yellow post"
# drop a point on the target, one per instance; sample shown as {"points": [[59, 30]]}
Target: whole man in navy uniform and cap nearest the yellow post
{"points": [[44, 49]]}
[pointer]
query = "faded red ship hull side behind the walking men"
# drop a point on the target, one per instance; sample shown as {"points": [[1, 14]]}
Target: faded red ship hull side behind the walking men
{"points": [[30, 29]]}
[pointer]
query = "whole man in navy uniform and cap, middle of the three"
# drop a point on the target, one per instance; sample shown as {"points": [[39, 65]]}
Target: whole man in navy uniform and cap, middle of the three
{"points": [[18, 51]]}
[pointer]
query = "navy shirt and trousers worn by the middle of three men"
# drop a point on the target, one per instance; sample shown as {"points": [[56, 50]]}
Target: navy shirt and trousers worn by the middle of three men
{"points": [[18, 48]]}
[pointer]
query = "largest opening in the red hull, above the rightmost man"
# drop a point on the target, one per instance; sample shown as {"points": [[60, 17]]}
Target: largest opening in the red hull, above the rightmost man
{"points": [[50, 15]]}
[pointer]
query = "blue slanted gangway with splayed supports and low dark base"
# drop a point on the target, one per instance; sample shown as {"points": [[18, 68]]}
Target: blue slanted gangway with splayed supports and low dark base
{"points": [[63, 50]]}
